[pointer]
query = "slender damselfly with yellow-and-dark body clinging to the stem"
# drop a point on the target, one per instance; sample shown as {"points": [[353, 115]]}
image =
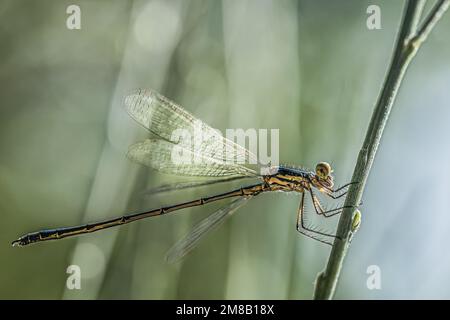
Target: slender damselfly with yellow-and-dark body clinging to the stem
{"points": [[162, 118]]}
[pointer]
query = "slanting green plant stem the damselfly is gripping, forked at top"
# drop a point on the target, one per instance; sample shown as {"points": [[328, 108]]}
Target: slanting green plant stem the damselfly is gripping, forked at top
{"points": [[410, 38]]}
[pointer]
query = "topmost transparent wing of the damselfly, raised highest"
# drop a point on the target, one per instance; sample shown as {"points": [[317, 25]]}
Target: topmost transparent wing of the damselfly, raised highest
{"points": [[171, 122]]}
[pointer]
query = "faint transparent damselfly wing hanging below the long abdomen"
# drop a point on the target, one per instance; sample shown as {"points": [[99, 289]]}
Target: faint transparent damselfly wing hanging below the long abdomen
{"points": [[186, 244]]}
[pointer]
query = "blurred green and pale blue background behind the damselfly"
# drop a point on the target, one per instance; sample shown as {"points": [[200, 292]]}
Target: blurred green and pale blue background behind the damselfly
{"points": [[310, 68]]}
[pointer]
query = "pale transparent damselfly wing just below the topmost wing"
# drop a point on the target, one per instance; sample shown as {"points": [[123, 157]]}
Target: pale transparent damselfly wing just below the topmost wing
{"points": [[162, 156]]}
